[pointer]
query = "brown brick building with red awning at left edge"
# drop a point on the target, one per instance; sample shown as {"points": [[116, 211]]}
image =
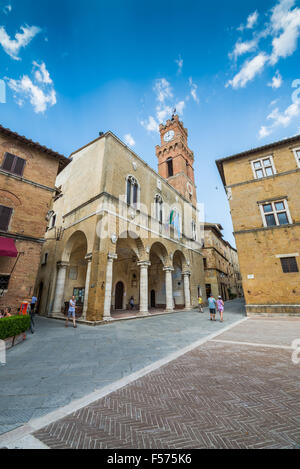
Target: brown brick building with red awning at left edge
{"points": [[27, 183]]}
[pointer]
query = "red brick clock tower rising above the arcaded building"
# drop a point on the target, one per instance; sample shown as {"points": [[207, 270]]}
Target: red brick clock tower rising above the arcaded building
{"points": [[175, 159]]}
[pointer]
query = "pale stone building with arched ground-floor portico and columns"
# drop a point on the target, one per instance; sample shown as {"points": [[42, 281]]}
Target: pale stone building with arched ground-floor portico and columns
{"points": [[120, 230]]}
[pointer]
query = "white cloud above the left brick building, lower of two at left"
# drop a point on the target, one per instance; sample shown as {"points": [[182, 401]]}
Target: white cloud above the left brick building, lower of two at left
{"points": [[41, 95]]}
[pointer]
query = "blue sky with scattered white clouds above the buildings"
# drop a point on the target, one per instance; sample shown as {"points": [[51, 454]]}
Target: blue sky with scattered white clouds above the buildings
{"points": [[74, 68]]}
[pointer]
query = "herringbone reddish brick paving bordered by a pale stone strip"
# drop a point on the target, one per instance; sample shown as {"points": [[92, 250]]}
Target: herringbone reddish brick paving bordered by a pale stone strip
{"points": [[217, 396]]}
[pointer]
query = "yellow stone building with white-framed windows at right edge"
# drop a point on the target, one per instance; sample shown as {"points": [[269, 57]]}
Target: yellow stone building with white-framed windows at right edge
{"points": [[263, 191]]}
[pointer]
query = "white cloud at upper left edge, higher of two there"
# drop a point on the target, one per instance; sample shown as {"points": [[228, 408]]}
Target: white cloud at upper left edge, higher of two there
{"points": [[12, 46]]}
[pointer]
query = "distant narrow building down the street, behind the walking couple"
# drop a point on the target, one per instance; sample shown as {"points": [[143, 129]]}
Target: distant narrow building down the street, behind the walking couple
{"points": [[221, 266]]}
